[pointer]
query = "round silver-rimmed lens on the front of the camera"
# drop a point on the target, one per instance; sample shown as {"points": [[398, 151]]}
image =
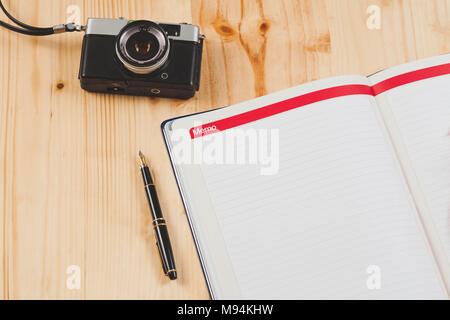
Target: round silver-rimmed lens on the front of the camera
{"points": [[142, 46]]}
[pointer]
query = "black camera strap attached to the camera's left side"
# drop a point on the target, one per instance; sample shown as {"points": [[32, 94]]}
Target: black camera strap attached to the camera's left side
{"points": [[37, 31]]}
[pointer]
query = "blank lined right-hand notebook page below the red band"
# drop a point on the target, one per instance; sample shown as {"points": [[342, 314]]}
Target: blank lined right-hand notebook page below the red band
{"points": [[421, 111]]}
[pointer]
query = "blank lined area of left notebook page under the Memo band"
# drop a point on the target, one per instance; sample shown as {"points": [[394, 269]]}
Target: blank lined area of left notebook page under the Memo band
{"points": [[335, 221]]}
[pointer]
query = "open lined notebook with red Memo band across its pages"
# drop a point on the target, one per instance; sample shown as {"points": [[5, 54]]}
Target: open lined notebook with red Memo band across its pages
{"points": [[353, 201]]}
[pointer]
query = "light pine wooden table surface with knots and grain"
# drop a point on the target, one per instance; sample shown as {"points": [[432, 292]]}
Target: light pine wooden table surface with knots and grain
{"points": [[70, 189]]}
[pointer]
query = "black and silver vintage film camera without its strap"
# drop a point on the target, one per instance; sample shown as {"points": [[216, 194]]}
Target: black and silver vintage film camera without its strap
{"points": [[141, 58]]}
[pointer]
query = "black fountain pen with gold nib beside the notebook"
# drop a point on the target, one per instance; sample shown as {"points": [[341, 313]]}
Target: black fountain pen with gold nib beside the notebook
{"points": [[159, 223]]}
